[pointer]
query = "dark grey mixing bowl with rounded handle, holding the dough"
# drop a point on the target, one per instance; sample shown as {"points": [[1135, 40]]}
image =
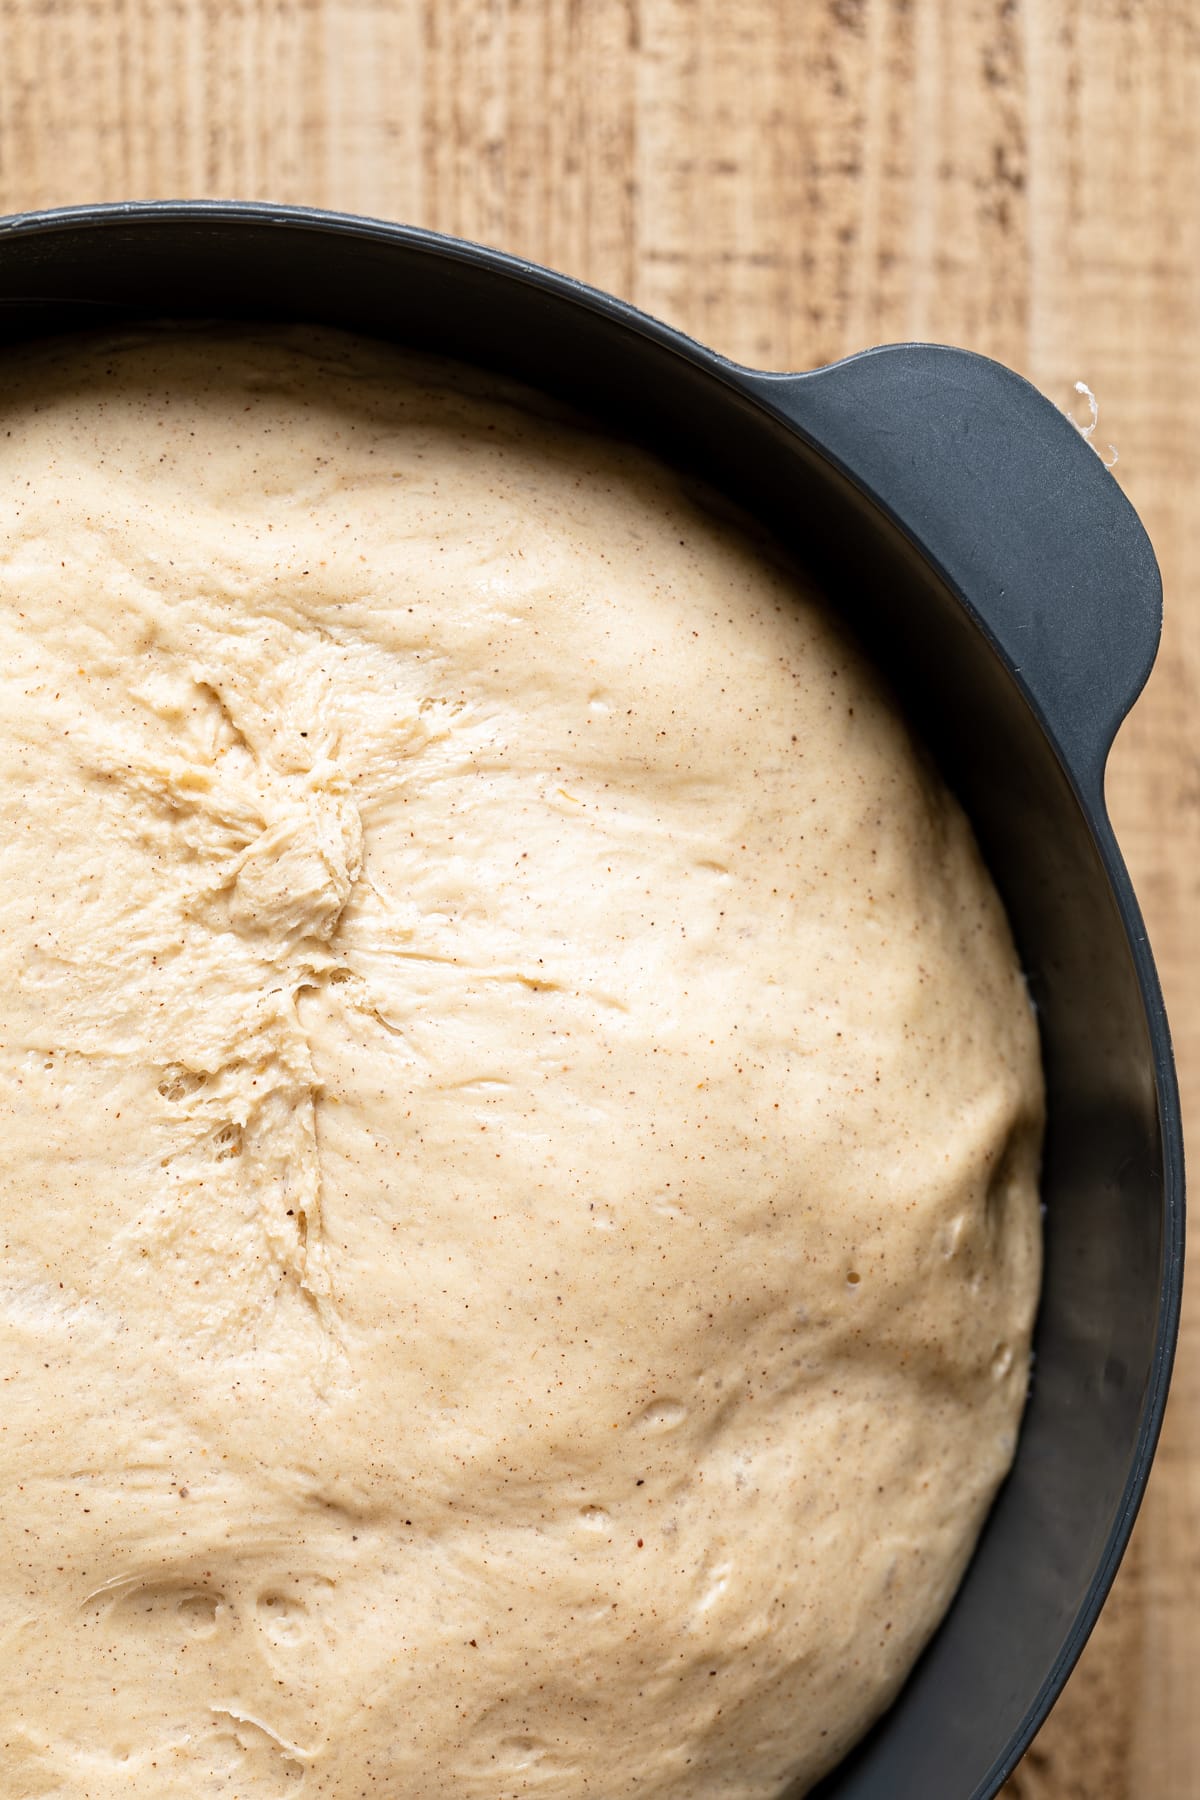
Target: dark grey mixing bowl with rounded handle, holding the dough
{"points": [[994, 570]]}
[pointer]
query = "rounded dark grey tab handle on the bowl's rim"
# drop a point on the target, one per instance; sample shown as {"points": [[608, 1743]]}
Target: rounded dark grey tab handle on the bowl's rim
{"points": [[1003, 494]]}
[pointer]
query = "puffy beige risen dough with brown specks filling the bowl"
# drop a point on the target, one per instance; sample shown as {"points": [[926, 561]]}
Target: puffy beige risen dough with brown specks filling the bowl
{"points": [[519, 1110]]}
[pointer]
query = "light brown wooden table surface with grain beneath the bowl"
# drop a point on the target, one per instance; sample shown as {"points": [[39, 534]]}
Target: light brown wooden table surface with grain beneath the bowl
{"points": [[789, 181]]}
